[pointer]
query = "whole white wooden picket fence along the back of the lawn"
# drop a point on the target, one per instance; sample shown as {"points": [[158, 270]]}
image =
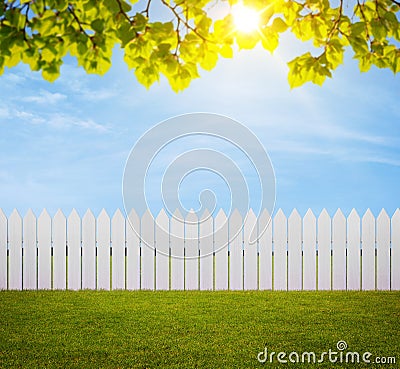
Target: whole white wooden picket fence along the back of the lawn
{"points": [[292, 254]]}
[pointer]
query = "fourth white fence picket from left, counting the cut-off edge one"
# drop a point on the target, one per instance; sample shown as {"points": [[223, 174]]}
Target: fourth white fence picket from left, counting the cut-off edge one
{"points": [[44, 251]]}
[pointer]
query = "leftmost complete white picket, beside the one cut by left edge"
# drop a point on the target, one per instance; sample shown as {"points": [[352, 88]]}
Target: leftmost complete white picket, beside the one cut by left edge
{"points": [[15, 251]]}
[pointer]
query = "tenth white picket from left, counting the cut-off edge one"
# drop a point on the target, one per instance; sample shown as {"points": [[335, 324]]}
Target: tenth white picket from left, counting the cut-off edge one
{"points": [[133, 251]]}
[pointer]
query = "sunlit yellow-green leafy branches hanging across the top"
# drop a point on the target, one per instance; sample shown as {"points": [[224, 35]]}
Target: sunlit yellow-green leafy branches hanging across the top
{"points": [[42, 32]]}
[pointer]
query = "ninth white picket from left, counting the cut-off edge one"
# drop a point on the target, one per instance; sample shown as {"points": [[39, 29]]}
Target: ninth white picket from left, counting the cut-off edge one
{"points": [[118, 251]]}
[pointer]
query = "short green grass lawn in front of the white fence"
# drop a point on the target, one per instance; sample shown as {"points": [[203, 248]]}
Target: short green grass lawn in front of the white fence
{"points": [[89, 329]]}
